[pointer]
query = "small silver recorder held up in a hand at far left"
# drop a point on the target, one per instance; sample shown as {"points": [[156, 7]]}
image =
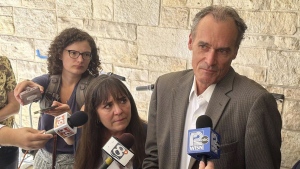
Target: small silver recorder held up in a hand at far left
{"points": [[31, 94]]}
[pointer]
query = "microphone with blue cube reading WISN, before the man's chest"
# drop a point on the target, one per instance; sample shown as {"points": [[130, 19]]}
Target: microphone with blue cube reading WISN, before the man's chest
{"points": [[203, 142]]}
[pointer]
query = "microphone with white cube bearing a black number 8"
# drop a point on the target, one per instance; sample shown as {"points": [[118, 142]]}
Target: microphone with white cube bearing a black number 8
{"points": [[118, 150]]}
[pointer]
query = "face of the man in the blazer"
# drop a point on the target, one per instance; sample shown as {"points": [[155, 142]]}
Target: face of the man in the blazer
{"points": [[213, 47]]}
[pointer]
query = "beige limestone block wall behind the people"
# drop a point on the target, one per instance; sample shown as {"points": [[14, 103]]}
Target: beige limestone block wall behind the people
{"points": [[142, 39]]}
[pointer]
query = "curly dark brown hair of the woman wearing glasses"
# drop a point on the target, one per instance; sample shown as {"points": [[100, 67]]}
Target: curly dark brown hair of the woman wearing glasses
{"points": [[66, 38]]}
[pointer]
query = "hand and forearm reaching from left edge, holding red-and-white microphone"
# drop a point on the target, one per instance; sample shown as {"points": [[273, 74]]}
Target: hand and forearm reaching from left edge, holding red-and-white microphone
{"points": [[26, 138]]}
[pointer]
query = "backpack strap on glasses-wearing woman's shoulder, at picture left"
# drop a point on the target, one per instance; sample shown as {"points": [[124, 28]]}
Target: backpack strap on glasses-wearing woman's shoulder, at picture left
{"points": [[51, 92]]}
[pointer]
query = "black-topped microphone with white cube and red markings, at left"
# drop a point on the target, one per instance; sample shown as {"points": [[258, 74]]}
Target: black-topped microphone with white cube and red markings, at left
{"points": [[65, 125]]}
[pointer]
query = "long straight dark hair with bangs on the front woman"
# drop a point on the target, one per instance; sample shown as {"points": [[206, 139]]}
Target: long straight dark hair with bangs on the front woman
{"points": [[92, 138]]}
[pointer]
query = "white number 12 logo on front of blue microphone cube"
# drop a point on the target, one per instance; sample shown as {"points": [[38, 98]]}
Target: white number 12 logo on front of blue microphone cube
{"points": [[197, 140]]}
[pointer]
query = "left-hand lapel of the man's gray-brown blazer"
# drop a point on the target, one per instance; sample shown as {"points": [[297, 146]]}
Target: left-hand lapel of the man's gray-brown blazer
{"points": [[179, 106]]}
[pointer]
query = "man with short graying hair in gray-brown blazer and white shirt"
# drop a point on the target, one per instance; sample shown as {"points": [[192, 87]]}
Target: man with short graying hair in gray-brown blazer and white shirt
{"points": [[242, 111]]}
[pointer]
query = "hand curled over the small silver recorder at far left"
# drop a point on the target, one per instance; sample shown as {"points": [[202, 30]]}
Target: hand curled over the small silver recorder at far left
{"points": [[22, 87]]}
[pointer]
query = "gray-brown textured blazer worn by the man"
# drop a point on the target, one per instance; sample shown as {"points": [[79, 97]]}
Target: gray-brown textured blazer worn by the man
{"points": [[242, 112]]}
